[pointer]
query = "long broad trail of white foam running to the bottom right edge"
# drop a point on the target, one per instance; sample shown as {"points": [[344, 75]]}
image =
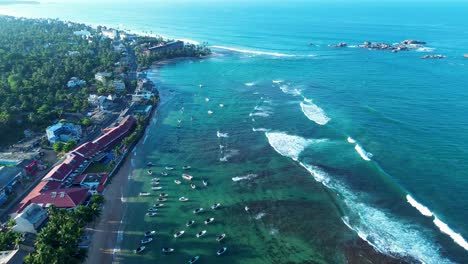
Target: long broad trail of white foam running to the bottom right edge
{"points": [[380, 229]]}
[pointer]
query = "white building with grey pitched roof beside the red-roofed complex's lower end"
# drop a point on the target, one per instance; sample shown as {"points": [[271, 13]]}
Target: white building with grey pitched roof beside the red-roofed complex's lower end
{"points": [[30, 219]]}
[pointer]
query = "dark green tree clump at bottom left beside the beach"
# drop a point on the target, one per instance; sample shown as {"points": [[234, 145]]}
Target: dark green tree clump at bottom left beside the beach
{"points": [[58, 241]]}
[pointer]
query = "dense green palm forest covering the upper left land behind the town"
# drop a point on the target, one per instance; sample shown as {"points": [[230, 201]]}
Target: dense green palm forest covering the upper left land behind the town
{"points": [[37, 59]]}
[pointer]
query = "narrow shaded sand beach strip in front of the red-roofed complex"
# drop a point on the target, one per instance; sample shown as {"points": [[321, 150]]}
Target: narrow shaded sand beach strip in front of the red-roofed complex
{"points": [[104, 233]]}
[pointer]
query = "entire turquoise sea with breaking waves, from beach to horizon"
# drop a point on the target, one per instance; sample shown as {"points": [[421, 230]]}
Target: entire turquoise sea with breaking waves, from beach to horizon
{"points": [[337, 142]]}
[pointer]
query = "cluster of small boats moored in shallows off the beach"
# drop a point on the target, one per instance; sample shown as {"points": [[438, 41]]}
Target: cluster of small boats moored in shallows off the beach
{"points": [[153, 211]]}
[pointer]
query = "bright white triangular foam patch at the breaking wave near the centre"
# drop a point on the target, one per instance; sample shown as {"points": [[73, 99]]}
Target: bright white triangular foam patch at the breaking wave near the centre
{"points": [[289, 146]]}
